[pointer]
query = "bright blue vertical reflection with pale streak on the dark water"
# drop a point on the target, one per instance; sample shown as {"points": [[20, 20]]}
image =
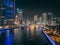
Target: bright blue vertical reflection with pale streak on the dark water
{"points": [[9, 38]]}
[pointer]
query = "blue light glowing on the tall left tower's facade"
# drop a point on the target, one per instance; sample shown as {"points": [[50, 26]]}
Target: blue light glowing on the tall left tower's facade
{"points": [[9, 12]]}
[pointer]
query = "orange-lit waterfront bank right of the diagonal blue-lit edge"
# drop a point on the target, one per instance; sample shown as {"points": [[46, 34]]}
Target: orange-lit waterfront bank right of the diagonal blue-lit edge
{"points": [[55, 37]]}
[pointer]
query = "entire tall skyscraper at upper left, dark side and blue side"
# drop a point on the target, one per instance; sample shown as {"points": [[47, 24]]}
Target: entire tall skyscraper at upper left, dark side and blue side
{"points": [[7, 10]]}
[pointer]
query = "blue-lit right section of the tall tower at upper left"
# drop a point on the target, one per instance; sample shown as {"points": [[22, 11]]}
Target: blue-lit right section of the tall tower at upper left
{"points": [[10, 8]]}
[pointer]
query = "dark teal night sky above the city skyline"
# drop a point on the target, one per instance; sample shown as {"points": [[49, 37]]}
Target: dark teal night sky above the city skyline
{"points": [[32, 7]]}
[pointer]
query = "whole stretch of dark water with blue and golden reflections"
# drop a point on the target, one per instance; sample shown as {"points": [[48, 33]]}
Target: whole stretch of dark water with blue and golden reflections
{"points": [[23, 37]]}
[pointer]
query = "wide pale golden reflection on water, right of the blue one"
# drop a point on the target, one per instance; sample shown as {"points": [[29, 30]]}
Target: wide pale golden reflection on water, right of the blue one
{"points": [[17, 36]]}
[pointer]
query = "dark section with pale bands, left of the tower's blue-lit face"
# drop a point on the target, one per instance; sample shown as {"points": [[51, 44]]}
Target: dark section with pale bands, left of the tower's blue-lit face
{"points": [[2, 13]]}
